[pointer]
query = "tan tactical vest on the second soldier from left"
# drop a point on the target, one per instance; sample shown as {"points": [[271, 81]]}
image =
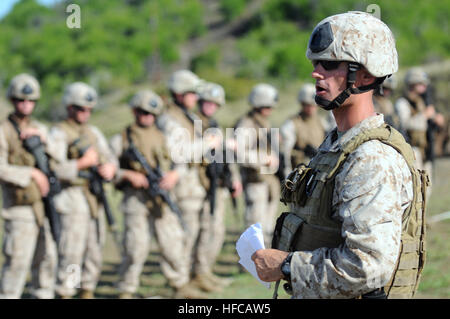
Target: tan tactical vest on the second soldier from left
{"points": [[79, 138]]}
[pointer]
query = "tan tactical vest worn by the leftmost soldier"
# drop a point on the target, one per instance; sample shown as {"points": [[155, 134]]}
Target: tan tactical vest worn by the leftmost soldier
{"points": [[18, 155]]}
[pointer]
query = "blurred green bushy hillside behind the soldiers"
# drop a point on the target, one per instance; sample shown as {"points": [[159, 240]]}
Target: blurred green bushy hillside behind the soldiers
{"points": [[123, 43]]}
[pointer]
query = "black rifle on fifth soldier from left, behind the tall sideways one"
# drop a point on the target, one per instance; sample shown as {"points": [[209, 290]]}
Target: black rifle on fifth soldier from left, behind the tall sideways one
{"points": [[219, 173]]}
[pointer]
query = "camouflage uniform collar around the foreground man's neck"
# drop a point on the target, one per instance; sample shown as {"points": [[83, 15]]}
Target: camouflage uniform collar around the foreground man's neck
{"points": [[331, 145]]}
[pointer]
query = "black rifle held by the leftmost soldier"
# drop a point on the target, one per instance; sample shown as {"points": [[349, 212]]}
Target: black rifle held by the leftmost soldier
{"points": [[34, 145]]}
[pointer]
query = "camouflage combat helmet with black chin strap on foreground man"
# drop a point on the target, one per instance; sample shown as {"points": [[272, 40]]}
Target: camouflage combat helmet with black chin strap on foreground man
{"points": [[360, 39]]}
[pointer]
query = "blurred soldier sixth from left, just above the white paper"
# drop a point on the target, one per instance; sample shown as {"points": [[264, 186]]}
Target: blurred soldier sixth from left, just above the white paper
{"points": [[261, 188]]}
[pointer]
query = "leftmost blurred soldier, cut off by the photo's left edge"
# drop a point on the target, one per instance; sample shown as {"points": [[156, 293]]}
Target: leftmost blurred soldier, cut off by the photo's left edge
{"points": [[27, 241]]}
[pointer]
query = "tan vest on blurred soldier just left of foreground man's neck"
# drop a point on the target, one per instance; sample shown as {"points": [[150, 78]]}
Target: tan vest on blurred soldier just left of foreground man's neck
{"points": [[307, 131]]}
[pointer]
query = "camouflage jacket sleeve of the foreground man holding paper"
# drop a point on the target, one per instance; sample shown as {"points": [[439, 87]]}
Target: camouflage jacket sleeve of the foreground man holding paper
{"points": [[371, 193]]}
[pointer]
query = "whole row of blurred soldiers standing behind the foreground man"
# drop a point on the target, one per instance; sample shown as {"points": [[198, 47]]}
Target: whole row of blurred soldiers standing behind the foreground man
{"points": [[55, 217]]}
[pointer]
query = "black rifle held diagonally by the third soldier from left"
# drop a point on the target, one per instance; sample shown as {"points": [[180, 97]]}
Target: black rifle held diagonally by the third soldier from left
{"points": [[153, 175]]}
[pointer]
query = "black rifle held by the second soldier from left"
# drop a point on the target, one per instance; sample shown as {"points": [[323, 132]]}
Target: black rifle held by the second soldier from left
{"points": [[96, 187]]}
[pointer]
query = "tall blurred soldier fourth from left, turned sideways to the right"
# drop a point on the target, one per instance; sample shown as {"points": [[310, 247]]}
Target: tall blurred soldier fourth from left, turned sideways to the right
{"points": [[183, 130]]}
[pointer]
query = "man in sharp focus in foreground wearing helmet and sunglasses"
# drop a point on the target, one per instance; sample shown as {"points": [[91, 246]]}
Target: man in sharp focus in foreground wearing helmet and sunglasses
{"points": [[356, 210]]}
